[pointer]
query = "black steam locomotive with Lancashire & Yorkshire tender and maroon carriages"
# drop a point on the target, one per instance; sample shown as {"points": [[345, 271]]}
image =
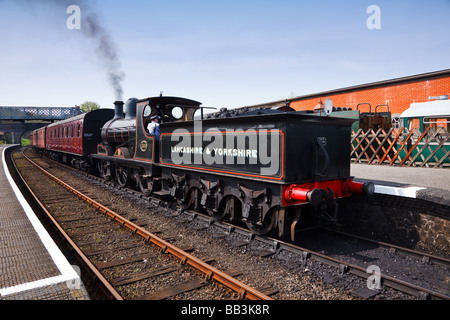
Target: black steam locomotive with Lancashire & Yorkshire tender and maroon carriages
{"points": [[271, 169]]}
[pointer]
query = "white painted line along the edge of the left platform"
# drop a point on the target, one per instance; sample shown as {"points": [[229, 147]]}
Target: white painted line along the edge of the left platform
{"points": [[68, 273]]}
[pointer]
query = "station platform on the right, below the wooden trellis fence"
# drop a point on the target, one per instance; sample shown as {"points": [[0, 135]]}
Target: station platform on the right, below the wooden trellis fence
{"points": [[428, 184]]}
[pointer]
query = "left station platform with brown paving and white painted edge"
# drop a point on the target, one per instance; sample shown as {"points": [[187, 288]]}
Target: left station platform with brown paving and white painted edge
{"points": [[32, 267]]}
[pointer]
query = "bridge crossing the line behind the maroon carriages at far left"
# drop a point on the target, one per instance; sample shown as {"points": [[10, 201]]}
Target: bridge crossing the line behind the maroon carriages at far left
{"points": [[15, 121]]}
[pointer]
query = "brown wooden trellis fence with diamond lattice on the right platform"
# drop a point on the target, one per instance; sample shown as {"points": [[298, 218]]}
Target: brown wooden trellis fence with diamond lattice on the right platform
{"points": [[402, 147]]}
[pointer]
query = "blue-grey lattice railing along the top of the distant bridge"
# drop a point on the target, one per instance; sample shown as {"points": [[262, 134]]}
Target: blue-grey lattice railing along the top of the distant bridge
{"points": [[38, 113]]}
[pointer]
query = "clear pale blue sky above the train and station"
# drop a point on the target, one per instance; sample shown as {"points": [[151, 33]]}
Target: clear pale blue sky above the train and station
{"points": [[222, 53]]}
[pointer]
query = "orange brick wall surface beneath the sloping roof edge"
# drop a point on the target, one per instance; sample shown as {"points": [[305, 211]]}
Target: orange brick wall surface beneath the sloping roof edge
{"points": [[397, 96]]}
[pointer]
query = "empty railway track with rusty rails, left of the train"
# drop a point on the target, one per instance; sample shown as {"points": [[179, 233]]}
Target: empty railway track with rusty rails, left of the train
{"points": [[111, 242]]}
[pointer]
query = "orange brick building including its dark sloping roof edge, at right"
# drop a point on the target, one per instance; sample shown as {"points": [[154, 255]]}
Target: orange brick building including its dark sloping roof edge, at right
{"points": [[398, 93]]}
